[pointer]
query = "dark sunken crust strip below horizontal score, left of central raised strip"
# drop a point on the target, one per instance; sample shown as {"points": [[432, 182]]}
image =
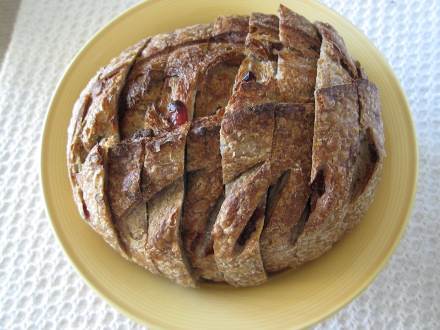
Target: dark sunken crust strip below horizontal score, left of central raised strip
{"points": [[204, 190]]}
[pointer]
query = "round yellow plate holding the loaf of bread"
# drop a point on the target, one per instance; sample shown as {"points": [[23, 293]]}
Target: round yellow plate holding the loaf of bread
{"points": [[290, 299]]}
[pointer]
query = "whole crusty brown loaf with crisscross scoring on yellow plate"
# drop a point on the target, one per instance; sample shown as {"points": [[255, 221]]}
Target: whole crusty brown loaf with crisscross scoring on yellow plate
{"points": [[226, 151]]}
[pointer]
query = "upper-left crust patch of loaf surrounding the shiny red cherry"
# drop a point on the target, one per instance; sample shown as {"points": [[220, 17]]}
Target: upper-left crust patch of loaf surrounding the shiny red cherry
{"points": [[166, 70]]}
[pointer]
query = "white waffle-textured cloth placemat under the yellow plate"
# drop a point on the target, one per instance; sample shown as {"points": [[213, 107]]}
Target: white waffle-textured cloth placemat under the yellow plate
{"points": [[38, 286]]}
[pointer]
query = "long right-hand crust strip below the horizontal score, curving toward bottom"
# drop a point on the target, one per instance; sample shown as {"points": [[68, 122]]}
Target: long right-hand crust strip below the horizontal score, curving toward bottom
{"points": [[335, 146]]}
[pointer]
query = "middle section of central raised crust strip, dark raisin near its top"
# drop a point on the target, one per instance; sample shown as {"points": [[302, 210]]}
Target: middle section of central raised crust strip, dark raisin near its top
{"points": [[242, 145]]}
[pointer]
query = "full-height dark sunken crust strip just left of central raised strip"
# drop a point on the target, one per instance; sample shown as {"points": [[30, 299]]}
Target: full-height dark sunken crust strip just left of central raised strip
{"points": [[204, 171]]}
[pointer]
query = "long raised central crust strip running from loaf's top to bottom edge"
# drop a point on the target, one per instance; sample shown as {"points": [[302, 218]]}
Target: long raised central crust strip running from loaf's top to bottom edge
{"points": [[245, 141]]}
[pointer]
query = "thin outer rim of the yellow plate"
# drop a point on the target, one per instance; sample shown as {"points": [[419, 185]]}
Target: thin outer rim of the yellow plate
{"points": [[126, 310]]}
